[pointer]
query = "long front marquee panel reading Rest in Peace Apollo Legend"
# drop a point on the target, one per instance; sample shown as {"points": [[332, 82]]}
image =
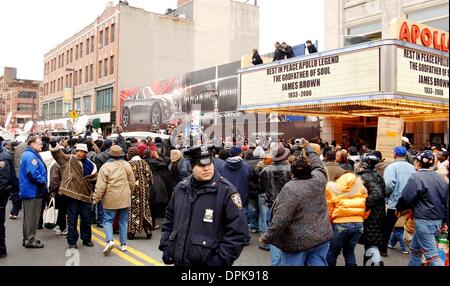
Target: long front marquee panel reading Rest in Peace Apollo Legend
{"points": [[325, 77]]}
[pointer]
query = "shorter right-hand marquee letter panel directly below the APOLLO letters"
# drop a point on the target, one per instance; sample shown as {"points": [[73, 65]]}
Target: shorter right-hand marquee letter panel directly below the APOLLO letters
{"points": [[422, 73]]}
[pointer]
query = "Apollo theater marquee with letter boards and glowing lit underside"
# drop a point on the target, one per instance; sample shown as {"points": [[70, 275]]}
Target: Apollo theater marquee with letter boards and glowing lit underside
{"points": [[348, 89]]}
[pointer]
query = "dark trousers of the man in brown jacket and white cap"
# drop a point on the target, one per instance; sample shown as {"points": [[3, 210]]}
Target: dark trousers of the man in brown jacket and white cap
{"points": [[75, 209]]}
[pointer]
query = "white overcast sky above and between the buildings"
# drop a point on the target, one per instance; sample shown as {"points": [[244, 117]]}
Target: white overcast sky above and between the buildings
{"points": [[30, 28]]}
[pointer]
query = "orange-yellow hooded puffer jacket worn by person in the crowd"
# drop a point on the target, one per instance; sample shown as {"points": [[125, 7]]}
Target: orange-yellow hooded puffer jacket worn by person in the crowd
{"points": [[346, 199]]}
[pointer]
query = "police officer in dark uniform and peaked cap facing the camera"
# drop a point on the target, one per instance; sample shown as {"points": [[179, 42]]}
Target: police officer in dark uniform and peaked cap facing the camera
{"points": [[204, 223]]}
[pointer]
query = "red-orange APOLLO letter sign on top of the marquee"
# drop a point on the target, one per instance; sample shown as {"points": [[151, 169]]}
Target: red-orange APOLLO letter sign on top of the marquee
{"points": [[419, 34]]}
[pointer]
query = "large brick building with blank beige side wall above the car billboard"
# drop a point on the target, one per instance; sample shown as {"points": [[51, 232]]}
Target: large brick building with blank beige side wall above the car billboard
{"points": [[127, 47]]}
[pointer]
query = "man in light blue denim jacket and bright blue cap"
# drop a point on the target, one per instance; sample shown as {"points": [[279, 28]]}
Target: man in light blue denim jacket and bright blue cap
{"points": [[396, 176]]}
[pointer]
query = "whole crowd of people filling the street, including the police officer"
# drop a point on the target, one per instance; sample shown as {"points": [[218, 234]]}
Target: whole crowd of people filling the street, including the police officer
{"points": [[308, 201]]}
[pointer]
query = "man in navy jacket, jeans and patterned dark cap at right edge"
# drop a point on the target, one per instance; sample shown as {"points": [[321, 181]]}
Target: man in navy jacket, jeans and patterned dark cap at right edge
{"points": [[426, 193]]}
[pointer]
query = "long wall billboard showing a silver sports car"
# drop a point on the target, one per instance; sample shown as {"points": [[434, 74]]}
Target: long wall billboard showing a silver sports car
{"points": [[160, 103]]}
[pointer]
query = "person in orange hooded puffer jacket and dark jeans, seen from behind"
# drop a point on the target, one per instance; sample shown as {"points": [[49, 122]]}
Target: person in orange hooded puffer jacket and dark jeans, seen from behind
{"points": [[346, 199]]}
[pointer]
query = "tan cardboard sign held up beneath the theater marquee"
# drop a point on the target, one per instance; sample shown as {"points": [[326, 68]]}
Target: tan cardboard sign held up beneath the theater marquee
{"points": [[389, 136]]}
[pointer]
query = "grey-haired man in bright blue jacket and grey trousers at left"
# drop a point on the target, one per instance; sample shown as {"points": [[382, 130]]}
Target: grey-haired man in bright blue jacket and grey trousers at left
{"points": [[33, 189]]}
